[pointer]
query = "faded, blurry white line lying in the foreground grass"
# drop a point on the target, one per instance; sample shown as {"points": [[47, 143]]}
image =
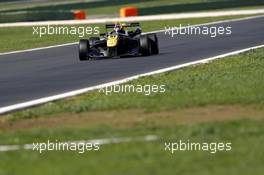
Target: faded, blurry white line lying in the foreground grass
{"points": [[148, 138]]}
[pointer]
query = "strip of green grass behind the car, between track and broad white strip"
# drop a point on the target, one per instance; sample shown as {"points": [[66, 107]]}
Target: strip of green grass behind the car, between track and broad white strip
{"points": [[9, 35]]}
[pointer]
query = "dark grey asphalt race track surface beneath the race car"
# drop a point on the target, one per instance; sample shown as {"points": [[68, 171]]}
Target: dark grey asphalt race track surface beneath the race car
{"points": [[36, 74]]}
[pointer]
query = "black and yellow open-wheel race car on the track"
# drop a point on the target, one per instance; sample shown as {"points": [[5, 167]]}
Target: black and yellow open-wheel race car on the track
{"points": [[119, 42]]}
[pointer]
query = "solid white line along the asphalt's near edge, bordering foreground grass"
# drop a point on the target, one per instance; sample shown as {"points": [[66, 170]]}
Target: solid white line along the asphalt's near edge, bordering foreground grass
{"points": [[84, 90]]}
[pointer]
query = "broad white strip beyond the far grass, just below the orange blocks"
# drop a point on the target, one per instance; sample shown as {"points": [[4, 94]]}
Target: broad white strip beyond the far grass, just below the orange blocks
{"points": [[139, 18]]}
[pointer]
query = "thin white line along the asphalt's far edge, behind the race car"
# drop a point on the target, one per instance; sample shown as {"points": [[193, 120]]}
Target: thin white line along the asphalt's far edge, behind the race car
{"points": [[157, 31]]}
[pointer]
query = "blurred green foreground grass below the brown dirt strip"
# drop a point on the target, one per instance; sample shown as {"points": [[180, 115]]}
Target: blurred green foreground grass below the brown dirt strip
{"points": [[245, 158]]}
